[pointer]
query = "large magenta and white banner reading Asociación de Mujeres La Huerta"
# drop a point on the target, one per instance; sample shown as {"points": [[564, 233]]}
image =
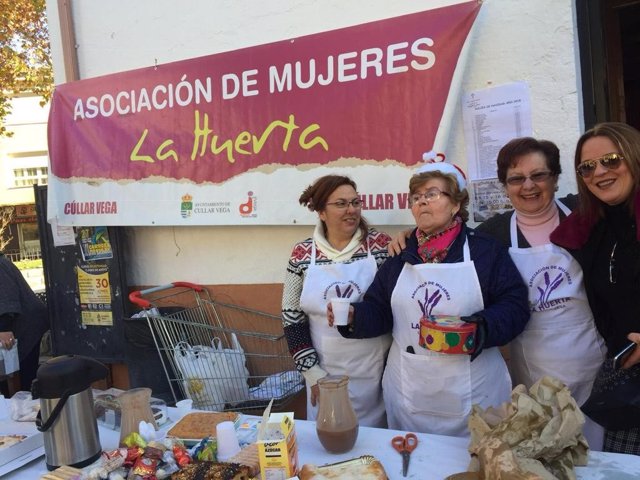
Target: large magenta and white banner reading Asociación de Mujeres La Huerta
{"points": [[233, 138]]}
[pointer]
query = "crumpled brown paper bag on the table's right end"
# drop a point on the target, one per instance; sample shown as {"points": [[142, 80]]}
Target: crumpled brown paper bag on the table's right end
{"points": [[536, 436]]}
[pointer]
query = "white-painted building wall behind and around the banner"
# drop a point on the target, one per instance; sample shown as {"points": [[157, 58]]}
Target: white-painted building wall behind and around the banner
{"points": [[513, 40]]}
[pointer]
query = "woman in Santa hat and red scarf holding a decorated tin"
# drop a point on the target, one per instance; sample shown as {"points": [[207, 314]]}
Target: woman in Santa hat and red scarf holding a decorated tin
{"points": [[446, 270]]}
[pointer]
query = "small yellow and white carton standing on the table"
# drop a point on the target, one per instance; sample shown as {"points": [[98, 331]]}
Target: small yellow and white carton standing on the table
{"points": [[278, 448]]}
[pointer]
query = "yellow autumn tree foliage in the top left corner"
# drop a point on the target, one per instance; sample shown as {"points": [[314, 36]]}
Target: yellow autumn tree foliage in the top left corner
{"points": [[25, 56]]}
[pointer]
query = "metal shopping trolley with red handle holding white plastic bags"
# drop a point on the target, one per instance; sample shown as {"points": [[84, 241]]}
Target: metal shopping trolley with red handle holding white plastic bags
{"points": [[222, 356]]}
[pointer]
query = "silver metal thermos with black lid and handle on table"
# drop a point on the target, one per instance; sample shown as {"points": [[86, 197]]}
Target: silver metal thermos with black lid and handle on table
{"points": [[66, 417]]}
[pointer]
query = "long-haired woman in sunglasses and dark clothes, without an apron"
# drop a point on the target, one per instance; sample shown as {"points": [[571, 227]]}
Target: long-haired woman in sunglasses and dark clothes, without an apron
{"points": [[604, 236]]}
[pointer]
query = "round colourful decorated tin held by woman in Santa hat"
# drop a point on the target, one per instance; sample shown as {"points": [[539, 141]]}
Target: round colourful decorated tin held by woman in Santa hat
{"points": [[447, 334]]}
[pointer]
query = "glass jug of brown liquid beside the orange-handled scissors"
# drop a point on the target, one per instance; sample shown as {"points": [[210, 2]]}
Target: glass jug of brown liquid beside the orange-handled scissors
{"points": [[337, 424]]}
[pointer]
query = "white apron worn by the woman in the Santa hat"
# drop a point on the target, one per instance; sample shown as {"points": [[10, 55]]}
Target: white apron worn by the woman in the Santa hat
{"points": [[433, 392]]}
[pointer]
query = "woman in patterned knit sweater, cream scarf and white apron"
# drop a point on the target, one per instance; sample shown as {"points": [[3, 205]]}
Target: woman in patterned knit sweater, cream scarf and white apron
{"points": [[340, 260]]}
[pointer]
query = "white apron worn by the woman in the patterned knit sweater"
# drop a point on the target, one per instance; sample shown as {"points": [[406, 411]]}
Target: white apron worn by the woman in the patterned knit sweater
{"points": [[361, 359]]}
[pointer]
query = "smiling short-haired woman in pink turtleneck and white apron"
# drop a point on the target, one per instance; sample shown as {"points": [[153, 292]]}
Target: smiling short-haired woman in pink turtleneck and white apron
{"points": [[560, 339]]}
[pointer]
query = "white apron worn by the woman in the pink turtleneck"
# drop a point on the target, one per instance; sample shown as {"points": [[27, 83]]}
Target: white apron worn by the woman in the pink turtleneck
{"points": [[560, 338]]}
